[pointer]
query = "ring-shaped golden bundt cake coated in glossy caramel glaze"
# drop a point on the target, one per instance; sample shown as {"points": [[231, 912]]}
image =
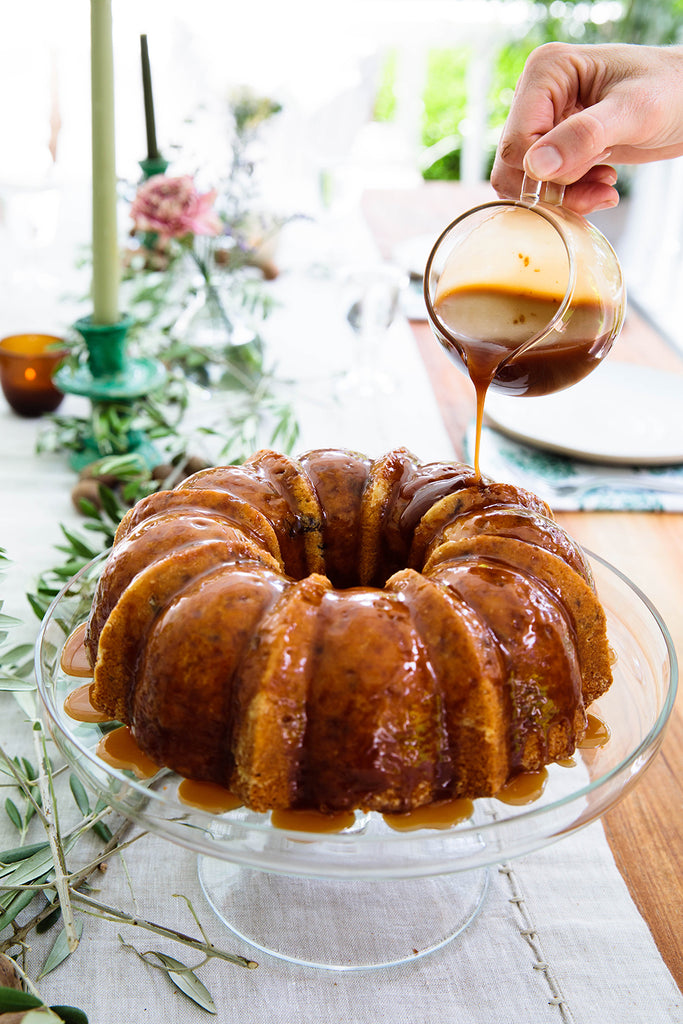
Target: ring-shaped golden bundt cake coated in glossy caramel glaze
{"points": [[337, 633]]}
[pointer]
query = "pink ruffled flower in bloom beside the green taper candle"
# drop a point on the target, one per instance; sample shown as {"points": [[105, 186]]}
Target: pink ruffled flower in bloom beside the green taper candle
{"points": [[174, 208]]}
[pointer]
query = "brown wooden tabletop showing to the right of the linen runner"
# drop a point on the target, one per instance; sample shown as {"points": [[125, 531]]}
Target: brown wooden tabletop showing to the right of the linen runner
{"points": [[646, 830]]}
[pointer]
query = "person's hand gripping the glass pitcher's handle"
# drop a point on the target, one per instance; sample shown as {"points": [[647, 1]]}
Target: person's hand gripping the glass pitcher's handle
{"points": [[577, 108]]}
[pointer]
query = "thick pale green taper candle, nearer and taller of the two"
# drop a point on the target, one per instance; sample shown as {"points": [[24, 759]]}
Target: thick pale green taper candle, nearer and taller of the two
{"points": [[106, 269]]}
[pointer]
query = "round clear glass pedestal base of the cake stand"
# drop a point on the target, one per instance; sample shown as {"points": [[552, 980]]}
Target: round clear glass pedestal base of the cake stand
{"points": [[343, 924]]}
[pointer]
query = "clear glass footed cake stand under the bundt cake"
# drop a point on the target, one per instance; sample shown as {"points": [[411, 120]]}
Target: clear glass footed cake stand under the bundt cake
{"points": [[262, 880]]}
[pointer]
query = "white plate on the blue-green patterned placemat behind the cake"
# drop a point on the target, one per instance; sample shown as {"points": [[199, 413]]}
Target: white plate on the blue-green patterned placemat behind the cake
{"points": [[622, 413]]}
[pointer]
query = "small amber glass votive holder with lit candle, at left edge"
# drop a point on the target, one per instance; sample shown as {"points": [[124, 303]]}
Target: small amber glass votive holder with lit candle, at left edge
{"points": [[27, 365]]}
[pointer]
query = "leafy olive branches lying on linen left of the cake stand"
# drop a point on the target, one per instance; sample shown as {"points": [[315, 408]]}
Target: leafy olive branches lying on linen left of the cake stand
{"points": [[36, 876]]}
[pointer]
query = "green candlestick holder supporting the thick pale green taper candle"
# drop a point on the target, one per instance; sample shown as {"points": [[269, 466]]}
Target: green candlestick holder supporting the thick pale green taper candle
{"points": [[110, 376]]}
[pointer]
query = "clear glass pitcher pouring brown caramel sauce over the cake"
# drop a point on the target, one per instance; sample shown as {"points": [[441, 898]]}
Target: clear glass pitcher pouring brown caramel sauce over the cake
{"points": [[526, 296]]}
